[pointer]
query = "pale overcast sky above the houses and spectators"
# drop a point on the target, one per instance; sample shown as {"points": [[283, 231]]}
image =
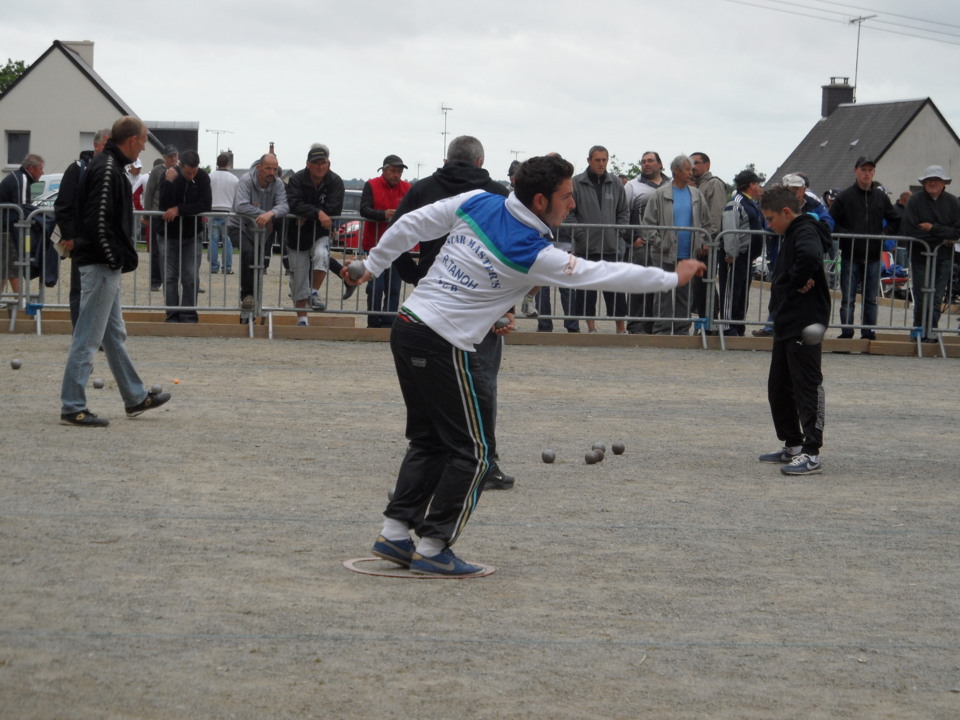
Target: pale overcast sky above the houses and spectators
{"points": [[737, 81]]}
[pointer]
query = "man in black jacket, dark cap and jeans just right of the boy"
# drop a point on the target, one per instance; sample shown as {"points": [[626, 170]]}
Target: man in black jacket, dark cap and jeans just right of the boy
{"points": [[861, 209]]}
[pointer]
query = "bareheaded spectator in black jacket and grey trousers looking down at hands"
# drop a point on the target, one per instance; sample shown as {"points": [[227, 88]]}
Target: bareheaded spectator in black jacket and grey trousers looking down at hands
{"points": [[184, 194]]}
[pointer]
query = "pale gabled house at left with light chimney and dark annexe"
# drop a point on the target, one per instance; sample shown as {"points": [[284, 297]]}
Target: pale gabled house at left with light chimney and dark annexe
{"points": [[57, 105]]}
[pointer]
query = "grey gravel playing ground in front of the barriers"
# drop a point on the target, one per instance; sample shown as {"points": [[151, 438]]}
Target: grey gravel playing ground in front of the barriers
{"points": [[188, 563]]}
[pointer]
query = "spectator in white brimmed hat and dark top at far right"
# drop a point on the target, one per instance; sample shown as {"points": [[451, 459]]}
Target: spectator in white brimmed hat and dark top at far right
{"points": [[932, 215]]}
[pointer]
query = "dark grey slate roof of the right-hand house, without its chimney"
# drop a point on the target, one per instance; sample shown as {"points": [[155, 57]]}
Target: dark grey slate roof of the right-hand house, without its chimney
{"points": [[828, 153]]}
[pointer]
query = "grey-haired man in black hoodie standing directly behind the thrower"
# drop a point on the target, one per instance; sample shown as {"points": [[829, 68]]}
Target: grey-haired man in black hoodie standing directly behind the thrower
{"points": [[461, 172]]}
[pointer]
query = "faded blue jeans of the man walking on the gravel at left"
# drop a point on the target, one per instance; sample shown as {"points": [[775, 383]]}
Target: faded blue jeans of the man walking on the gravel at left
{"points": [[99, 323]]}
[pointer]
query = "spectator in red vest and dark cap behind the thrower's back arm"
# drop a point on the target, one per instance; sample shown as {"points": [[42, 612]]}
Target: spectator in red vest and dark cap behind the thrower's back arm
{"points": [[379, 200]]}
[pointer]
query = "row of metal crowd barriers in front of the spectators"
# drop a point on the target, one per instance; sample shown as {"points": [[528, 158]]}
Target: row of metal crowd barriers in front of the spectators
{"points": [[727, 301]]}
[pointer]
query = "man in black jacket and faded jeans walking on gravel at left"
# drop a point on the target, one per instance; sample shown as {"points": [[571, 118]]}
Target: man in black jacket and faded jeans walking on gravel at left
{"points": [[104, 248]]}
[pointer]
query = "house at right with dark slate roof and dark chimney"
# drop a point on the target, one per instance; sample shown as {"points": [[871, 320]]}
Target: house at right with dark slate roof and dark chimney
{"points": [[903, 137]]}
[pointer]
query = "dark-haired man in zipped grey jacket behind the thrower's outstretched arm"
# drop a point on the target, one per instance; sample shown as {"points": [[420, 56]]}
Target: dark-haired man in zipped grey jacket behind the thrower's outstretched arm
{"points": [[600, 200]]}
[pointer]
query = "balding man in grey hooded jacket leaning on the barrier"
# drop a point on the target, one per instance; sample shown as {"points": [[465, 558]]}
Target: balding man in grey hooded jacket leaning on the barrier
{"points": [[260, 199]]}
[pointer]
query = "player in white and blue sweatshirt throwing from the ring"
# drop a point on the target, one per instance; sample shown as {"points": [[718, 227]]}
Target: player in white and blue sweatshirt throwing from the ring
{"points": [[496, 250]]}
